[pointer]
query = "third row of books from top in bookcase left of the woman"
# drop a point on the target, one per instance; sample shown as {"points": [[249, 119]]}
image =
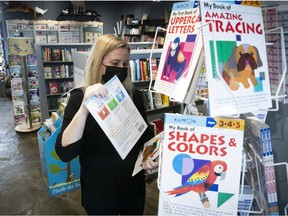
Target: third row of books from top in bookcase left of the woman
{"points": [[59, 87]]}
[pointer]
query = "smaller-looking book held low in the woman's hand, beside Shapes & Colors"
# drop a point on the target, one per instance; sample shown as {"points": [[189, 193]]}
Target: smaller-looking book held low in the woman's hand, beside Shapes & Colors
{"points": [[150, 148]]}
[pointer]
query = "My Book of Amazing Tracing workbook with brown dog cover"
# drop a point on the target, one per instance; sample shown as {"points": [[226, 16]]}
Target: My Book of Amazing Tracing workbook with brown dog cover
{"points": [[236, 58]]}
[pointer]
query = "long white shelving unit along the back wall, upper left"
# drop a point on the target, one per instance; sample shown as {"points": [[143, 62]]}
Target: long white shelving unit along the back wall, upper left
{"points": [[52, 31]]}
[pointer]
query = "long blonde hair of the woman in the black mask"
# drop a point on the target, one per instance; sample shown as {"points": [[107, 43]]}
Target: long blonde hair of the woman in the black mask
{"points": [[100, 49]]}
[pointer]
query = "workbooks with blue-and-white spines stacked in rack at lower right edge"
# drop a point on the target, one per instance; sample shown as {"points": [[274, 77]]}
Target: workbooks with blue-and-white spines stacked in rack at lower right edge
{"points": [[261, 171]]}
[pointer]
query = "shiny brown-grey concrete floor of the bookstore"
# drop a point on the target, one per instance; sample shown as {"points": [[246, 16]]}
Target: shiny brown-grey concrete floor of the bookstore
{"points": [[23, 190]]}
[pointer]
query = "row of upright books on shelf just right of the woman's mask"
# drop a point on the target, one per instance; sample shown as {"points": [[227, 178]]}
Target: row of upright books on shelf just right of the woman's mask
{"points": [[141, 69]]}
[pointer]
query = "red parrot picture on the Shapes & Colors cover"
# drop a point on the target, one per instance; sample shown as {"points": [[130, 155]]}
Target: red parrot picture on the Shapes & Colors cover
{"points": [[202, 180]]}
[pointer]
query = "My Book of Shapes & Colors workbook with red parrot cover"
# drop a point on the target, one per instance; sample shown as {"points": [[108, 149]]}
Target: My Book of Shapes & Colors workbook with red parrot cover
{"points": [[200, 165]]}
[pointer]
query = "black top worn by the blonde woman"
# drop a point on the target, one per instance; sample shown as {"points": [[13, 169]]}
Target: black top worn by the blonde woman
{"points": [[103, 172]]}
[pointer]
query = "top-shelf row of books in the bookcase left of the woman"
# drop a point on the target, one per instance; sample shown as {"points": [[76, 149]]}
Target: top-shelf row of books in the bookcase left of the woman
{"points": [[59, 54]]}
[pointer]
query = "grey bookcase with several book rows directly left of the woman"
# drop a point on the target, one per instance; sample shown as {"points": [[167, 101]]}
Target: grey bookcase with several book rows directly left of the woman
{"points": [[56, 77]]}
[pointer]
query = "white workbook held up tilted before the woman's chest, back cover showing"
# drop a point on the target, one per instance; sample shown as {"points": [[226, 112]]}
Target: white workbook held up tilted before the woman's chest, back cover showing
{"points": [[118, 117]]}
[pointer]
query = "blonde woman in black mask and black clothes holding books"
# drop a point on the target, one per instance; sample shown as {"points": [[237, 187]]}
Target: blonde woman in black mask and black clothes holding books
{"points": [[106, 180]]}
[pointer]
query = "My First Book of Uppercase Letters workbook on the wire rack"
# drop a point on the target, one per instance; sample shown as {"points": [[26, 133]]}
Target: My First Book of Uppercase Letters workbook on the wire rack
{"points": [[181, 51]]}
